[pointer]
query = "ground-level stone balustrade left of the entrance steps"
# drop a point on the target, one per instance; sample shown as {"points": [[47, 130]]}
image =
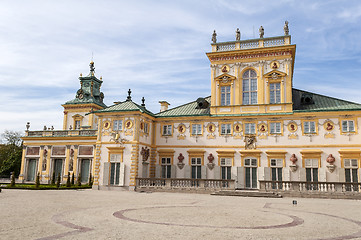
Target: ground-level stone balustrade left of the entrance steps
{"points": [[185, 183]]}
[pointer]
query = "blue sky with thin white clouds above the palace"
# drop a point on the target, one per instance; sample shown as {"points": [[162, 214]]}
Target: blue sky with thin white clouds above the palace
{"points": [[157, 49]]}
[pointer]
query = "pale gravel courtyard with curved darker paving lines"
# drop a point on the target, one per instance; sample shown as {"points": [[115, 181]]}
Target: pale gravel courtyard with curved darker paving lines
{"points": [[89, 214]]}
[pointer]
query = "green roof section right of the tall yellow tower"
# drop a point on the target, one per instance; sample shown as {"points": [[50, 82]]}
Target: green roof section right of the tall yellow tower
{"points": [[320, 103]]}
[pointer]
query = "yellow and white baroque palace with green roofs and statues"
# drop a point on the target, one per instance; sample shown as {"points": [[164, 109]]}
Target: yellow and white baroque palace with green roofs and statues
{"points": [[255, 127]]}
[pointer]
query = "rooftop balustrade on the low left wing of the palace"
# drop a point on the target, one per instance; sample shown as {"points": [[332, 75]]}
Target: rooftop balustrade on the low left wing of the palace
{"points": [[58, 133]]}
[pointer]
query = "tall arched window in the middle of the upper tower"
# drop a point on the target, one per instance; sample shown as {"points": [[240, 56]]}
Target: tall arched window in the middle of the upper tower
{"points": [[249, 95]]}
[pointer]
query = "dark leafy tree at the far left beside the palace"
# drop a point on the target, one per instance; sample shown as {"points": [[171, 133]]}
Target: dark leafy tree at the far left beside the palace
{"points": [[10, 153]]}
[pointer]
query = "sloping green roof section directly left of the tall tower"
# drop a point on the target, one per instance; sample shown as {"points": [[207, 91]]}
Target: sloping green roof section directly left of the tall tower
{"points": [[188, 109]]}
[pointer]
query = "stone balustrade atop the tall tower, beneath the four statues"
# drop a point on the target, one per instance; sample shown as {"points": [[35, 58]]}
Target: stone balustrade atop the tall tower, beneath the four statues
{"points": [[250, 44]]}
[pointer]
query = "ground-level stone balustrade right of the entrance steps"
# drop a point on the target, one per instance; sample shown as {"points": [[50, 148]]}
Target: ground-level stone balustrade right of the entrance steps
{"points": [[310, 186]]}
